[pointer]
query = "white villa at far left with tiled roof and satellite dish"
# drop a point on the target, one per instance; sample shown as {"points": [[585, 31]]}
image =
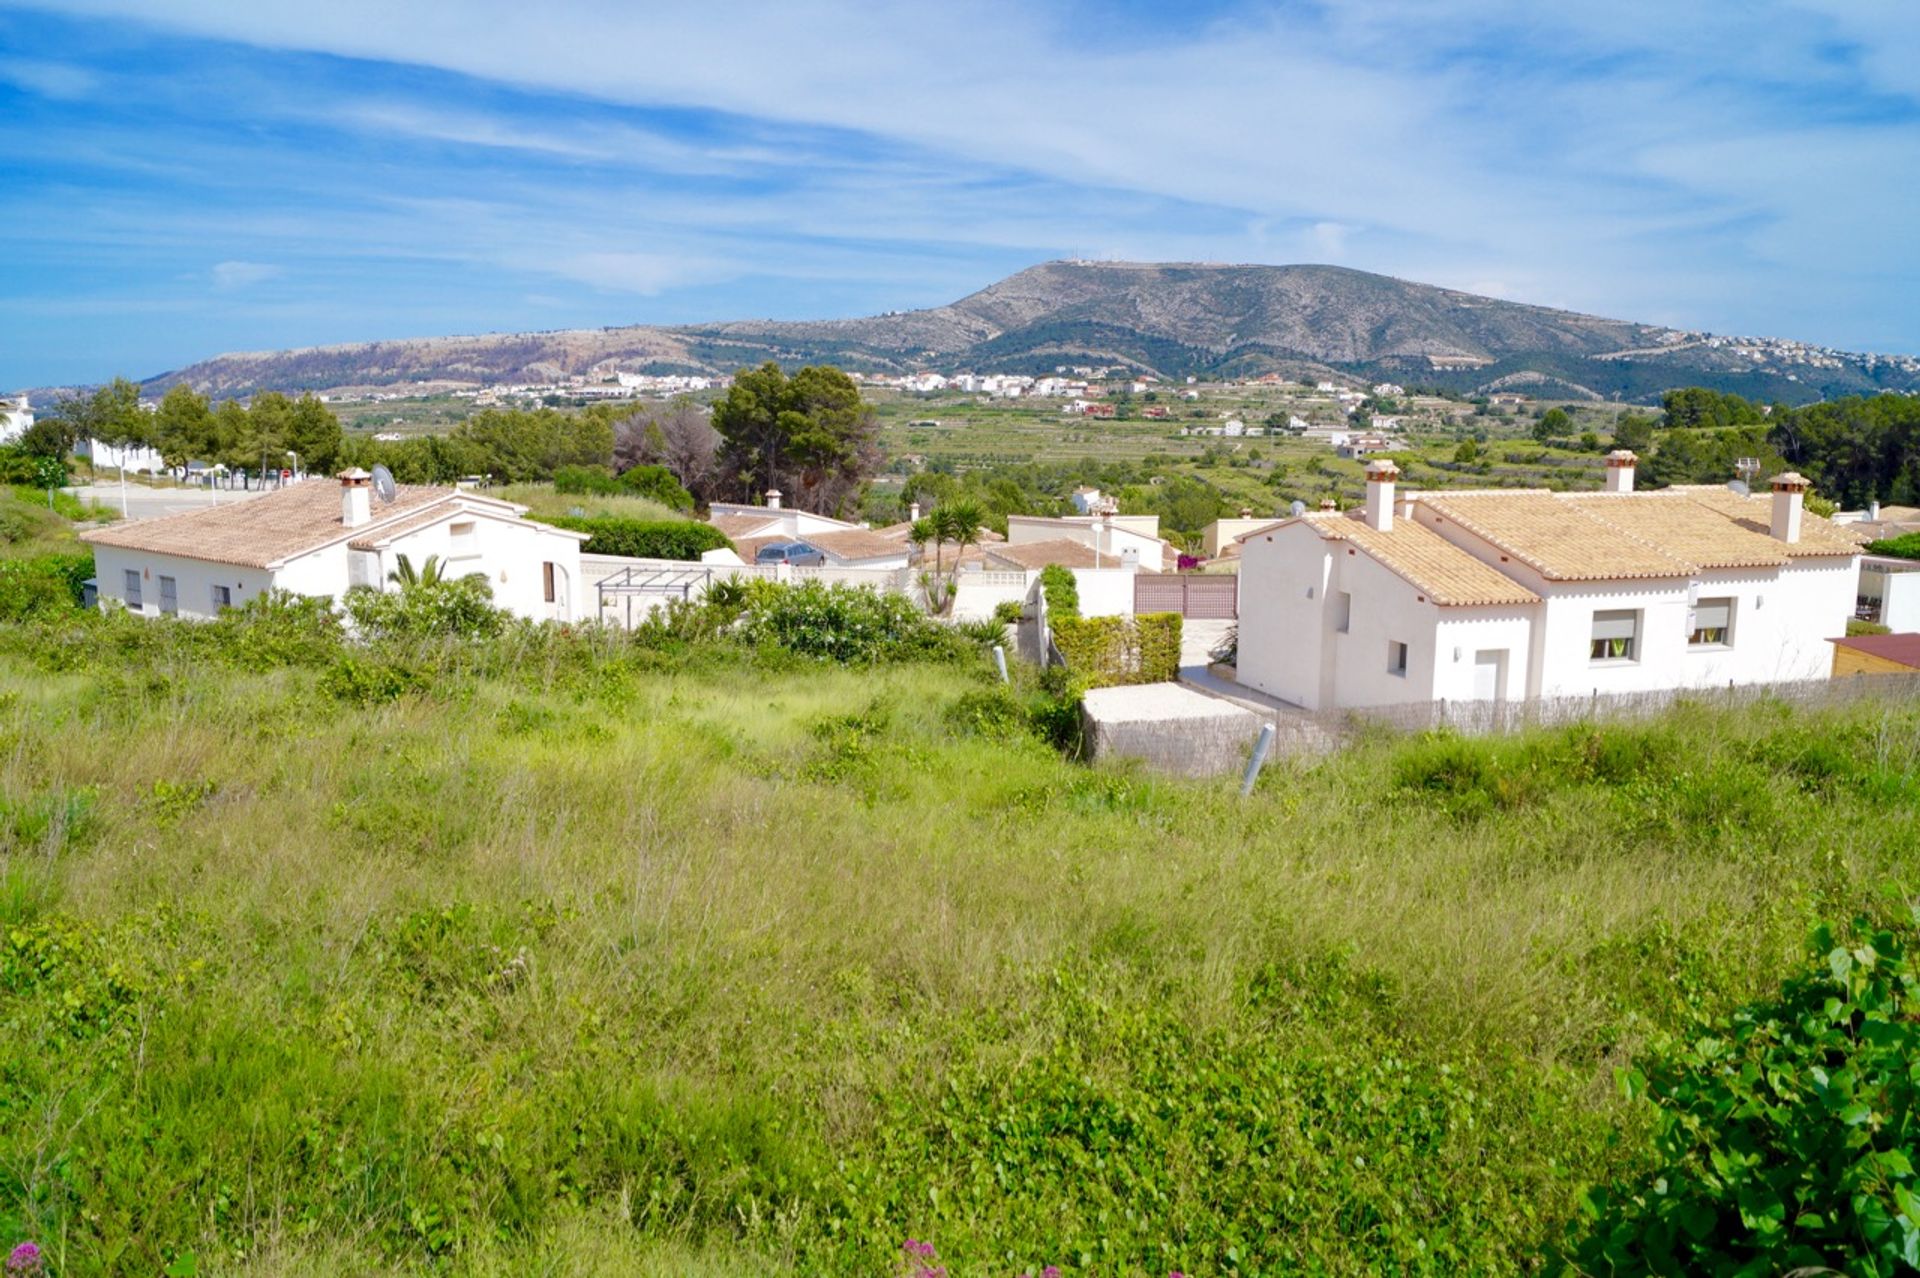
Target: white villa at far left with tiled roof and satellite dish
{"points": [[322, 538]]}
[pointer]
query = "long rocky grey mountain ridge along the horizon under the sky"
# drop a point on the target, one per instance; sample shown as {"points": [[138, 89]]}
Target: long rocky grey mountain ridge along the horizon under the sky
{"points": [[1168, 319]]}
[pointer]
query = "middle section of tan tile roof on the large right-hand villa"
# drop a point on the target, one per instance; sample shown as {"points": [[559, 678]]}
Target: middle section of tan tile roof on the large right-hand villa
{"points": [[1554, 536]]}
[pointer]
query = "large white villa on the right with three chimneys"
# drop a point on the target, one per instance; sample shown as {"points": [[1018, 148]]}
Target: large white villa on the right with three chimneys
{"points": [[1527, 594]]}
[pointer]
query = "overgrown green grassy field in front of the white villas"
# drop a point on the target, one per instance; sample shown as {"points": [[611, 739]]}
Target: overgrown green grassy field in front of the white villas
{"points": [[610, 958]]}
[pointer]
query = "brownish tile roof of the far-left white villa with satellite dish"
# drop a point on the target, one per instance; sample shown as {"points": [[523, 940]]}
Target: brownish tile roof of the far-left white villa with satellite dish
{"points": [[262, 532]]}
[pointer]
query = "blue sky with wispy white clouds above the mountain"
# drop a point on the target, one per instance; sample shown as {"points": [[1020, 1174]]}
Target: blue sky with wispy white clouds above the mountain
{"points": [[187, 177]]}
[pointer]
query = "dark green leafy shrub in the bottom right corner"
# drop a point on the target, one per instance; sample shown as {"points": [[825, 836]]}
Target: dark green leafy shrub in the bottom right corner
{"points": [[1785, 1135]]}
